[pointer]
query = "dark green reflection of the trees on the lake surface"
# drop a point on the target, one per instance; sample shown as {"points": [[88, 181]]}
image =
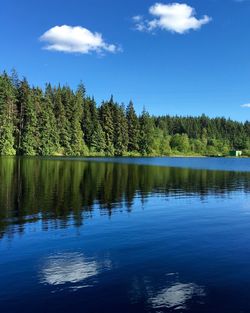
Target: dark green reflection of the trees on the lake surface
{"points": [[56, 191]]}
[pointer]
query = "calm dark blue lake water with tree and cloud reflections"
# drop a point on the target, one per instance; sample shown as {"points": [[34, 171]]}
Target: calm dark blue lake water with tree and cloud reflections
{"points": [[124, 235]]}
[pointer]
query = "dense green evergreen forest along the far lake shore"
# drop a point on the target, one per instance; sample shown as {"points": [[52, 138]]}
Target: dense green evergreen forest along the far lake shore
{"points": [[59, 121]]}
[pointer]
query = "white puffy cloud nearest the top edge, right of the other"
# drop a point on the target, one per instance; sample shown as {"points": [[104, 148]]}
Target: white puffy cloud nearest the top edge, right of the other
{"points": [[174, 17]]}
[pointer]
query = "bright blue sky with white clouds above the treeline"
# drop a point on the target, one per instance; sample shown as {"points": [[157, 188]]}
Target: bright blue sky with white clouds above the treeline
{"points": [[166, 57]]}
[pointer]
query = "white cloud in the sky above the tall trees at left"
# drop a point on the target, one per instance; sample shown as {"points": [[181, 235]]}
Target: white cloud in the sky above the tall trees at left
{"points": [[75, 39]]}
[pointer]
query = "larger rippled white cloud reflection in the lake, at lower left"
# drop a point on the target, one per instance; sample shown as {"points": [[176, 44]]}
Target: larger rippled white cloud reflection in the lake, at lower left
{"points": [[68, 268]]}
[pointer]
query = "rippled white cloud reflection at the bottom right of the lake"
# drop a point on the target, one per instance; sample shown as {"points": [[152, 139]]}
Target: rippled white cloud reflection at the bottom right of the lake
{"points": [[176, 296]]}
